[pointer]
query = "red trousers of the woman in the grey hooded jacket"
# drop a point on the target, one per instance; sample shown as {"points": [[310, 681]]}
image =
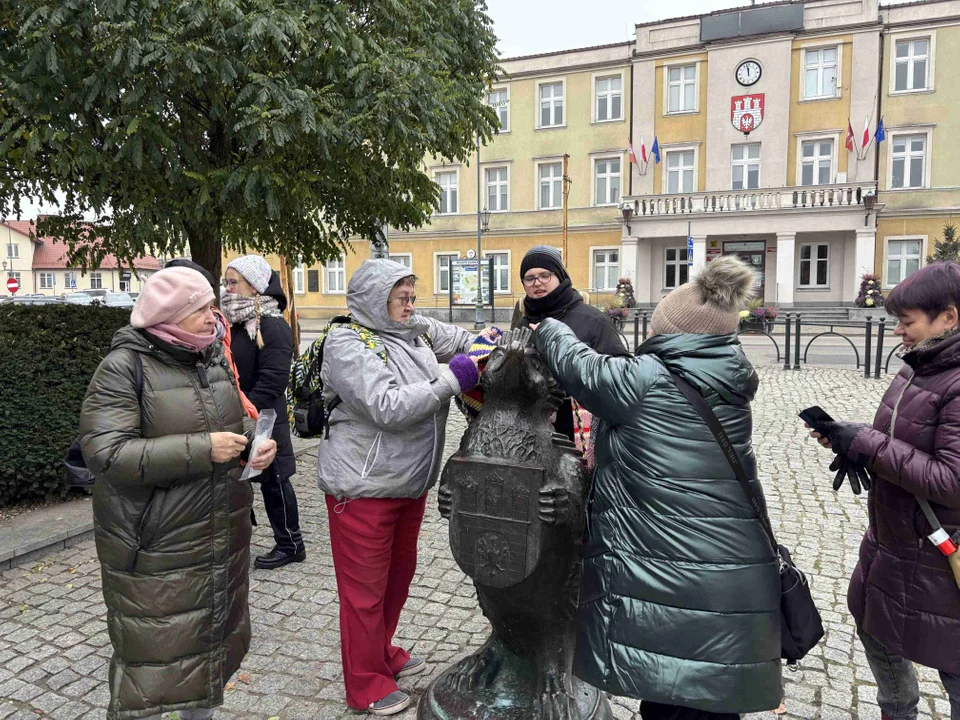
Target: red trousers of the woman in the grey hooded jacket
{"points": [[374, 545]]}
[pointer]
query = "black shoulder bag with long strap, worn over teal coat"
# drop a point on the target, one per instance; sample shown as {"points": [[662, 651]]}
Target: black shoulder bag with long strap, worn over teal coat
{"points": [[801, 627]]}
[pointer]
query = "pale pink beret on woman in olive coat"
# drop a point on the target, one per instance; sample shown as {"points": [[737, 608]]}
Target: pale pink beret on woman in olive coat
{"points": [[169, 296]]}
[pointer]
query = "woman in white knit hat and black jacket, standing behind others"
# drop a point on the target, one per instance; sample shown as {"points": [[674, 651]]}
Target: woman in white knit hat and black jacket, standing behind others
{"points": [[262, 345]]}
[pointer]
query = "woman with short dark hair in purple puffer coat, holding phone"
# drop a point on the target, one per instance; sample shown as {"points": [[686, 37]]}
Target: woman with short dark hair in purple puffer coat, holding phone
{"points": [[903, 594]]}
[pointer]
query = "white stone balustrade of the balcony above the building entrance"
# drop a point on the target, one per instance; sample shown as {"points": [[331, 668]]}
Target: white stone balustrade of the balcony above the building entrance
{"points": [[792, 198]]}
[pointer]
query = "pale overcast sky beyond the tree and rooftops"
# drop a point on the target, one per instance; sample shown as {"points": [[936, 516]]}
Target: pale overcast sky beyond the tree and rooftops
{"points": [[528, 27]]}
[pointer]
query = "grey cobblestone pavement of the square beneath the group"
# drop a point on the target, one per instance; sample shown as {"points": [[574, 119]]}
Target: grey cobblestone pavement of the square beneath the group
{"points": [[54, 648]]}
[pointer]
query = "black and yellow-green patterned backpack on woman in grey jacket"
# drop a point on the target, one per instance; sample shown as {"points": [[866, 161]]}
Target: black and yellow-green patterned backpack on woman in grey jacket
{"points": [[309, 416]]}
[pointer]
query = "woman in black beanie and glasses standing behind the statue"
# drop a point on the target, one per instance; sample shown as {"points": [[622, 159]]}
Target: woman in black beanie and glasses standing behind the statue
{"points": [[550, 294]]}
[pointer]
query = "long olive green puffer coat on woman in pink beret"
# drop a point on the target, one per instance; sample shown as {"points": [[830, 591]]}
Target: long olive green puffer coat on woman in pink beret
{"points": [[172, 528]]}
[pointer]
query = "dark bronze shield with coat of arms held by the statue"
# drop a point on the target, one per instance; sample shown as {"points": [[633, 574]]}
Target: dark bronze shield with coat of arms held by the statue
{"points": [[494, 525]]}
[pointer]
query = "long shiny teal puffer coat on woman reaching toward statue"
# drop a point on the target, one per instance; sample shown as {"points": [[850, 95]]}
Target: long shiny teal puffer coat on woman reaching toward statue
{"points": [[679, 601]]}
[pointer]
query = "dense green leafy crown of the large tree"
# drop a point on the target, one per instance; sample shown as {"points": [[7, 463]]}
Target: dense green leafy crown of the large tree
{"points": [[275, 125]]}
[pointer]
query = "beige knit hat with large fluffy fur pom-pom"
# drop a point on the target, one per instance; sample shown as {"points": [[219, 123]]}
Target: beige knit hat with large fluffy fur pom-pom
{"points": [[710, 304]]}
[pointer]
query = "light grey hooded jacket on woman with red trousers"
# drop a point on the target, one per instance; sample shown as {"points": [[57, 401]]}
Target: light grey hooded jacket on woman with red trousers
{"points": [[387, 433]]}
